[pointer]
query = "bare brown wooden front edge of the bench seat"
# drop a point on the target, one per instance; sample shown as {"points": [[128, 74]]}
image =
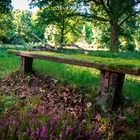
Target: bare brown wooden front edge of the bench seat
{"points": [[74, 61]]}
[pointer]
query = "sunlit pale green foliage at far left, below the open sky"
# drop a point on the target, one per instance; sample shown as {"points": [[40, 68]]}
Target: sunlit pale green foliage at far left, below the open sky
{"points": [[16, 27]]}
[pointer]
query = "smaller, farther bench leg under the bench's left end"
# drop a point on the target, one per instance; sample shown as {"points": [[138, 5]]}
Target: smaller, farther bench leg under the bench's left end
{"points": [[26, 64]]}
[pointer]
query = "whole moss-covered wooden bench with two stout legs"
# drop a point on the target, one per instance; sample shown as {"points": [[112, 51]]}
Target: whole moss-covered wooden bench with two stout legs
{"points": [[113, 71]]}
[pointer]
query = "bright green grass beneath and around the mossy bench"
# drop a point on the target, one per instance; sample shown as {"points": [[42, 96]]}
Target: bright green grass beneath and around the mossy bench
{"points": [[75, 75]]}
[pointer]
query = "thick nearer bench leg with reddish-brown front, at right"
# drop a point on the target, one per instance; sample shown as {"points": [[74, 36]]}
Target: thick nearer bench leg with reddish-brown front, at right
{"points": [[110, 95]]}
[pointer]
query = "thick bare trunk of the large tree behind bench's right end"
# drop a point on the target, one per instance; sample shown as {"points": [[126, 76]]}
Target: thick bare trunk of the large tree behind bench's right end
{"points": [[114, 38]]}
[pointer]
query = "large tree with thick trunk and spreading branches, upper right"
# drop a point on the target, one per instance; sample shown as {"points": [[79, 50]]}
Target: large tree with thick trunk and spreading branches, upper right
{"points": [[115, 12]]}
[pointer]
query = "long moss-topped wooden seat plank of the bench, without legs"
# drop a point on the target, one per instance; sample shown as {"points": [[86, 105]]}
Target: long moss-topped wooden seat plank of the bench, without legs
{"points": [[68, 59]]}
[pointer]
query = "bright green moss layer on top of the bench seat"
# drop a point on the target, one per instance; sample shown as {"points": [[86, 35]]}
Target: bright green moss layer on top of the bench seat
{"points": [[113, 62]]}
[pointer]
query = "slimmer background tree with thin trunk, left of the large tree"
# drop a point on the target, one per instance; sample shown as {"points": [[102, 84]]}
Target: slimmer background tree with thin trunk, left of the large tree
{"points": [[55, 12]]}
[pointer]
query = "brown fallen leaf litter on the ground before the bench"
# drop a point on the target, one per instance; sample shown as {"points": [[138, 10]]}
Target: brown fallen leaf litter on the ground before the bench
{"points": [[55, 97]]}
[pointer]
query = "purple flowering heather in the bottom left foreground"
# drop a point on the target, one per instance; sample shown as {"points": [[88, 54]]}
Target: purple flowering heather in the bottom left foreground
{"points": [[36, 124]]}
